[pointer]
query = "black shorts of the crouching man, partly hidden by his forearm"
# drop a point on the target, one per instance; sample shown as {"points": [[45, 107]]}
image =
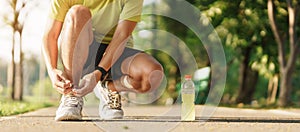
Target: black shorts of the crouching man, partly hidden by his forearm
{"points": [[96, 51]]}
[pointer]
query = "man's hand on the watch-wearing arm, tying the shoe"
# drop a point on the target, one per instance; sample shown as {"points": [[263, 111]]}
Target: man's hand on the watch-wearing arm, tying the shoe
{"points": [[86, 85]]}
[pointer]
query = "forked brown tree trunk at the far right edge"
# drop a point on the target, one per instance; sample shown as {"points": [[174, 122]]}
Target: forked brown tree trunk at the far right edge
{"points": [[286, 60]]}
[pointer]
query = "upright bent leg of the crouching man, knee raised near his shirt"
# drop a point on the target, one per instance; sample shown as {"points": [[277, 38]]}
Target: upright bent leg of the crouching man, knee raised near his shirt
{"points": [[76, 37]]}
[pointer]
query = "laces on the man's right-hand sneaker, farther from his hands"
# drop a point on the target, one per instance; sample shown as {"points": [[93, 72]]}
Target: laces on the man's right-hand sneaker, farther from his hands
{"points": [[114, 100]]}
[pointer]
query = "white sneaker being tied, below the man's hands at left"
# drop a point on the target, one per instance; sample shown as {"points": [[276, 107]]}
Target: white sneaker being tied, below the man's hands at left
{"points": [[70, 108]]}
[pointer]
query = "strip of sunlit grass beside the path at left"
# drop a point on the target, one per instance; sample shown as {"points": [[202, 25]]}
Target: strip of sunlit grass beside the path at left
{"points": [[9, 107]]}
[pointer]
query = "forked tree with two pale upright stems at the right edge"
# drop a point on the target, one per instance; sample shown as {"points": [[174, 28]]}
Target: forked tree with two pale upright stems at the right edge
{"points": [[287, 43]]}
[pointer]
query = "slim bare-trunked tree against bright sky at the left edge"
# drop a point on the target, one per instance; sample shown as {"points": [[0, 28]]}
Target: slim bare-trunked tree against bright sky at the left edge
{"points": [[16, 21]]}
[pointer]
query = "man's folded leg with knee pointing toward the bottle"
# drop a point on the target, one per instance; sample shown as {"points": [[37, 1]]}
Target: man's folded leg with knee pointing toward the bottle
{"points": [[142, 73]]}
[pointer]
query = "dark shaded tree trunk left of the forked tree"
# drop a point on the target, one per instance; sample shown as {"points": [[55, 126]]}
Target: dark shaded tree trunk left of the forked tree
{"points": [[248, 80]]}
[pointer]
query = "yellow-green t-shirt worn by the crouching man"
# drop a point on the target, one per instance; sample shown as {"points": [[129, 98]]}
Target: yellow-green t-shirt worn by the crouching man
{"points": [[105, 14]]}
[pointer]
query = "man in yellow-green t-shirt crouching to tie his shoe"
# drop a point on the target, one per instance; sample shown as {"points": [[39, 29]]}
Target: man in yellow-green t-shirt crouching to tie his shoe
{"points": [[95, 37]]}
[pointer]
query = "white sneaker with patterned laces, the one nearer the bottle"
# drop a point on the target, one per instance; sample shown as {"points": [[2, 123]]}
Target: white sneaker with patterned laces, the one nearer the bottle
{"points": [[110, 106]]}
